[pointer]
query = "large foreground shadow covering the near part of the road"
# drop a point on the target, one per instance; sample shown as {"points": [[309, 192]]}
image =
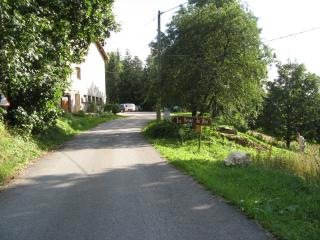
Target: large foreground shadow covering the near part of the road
{"points": [[151, 201]]}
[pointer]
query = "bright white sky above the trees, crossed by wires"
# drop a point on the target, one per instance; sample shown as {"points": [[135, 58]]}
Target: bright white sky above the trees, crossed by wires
{"points": [[276, 18]]}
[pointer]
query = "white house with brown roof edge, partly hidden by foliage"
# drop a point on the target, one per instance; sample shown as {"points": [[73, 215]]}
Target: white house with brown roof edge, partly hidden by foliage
{"points": [[87, 81]]}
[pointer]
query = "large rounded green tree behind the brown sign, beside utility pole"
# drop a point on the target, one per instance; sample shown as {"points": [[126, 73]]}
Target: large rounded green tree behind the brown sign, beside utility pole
{"points": [[213, 60]]}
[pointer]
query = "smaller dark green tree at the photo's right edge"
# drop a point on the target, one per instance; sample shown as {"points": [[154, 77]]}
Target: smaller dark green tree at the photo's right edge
{"points": [[293, 103]]}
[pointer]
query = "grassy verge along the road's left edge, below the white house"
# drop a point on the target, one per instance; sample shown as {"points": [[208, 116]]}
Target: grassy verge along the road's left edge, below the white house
{"points": [[16, 151]]}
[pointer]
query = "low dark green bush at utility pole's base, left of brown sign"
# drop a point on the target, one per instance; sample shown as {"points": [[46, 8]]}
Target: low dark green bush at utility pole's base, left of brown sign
{"points": [[163, 129]]}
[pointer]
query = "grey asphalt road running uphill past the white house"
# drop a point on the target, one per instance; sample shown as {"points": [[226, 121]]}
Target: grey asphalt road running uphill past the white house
{"points": [[109, 183]]}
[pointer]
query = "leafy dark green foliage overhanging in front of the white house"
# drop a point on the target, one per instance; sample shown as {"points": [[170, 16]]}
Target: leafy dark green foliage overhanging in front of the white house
{"points": [[39, 40]]}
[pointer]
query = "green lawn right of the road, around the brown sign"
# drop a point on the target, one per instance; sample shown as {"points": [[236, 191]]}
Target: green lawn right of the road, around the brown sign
{"points": [[284, 203]]}
